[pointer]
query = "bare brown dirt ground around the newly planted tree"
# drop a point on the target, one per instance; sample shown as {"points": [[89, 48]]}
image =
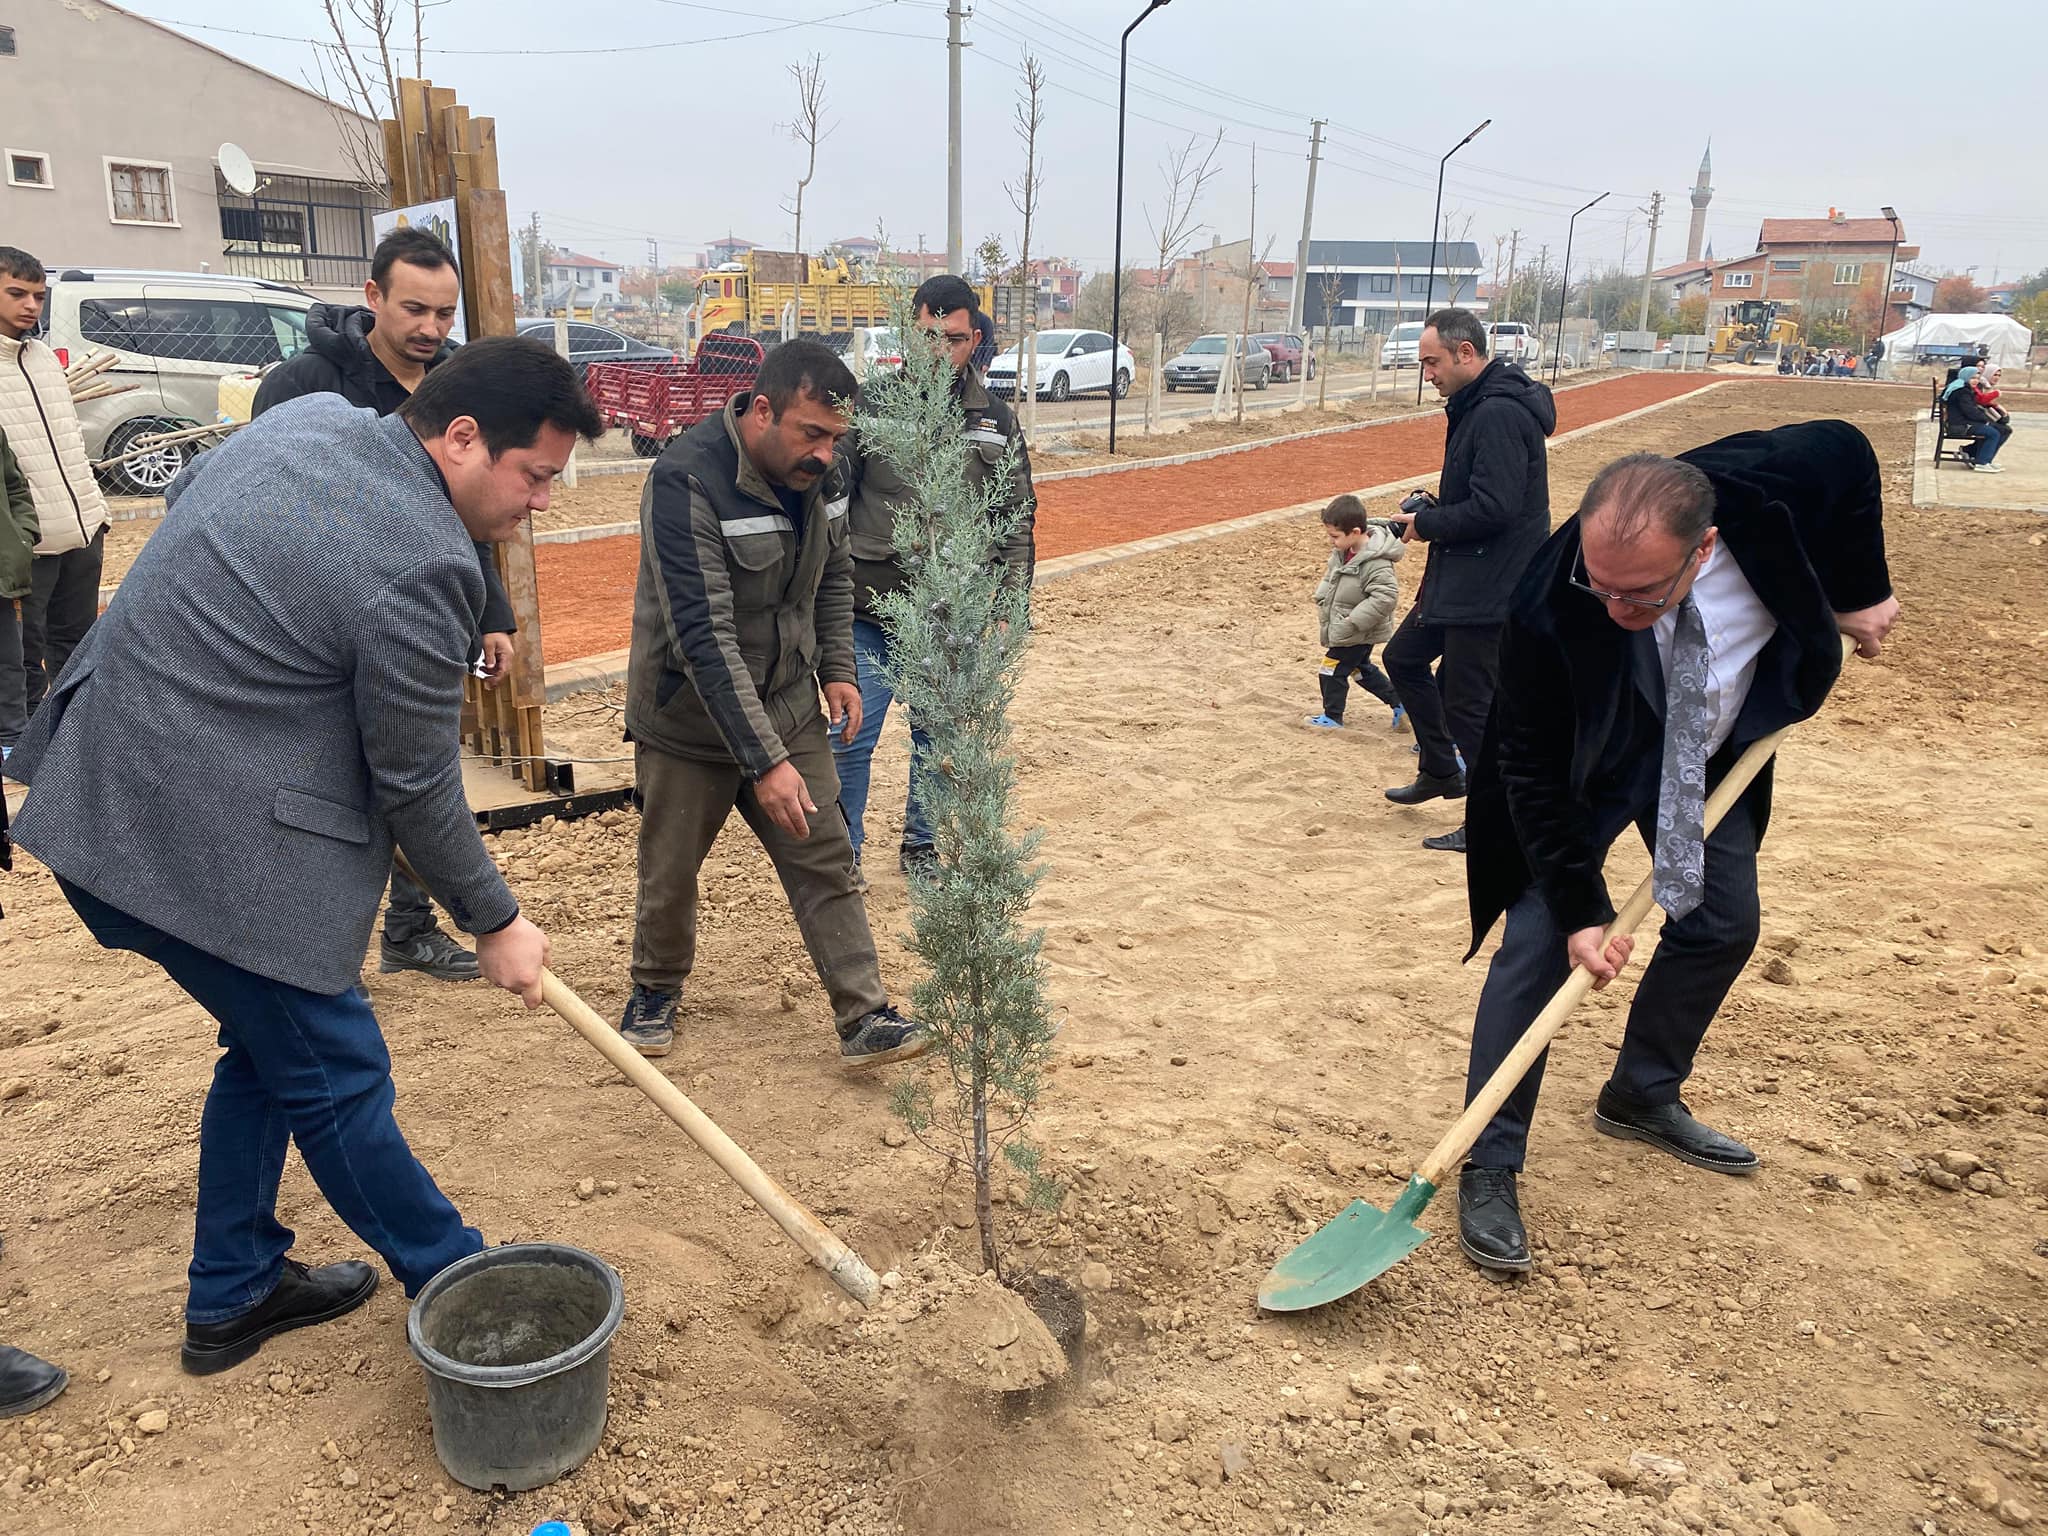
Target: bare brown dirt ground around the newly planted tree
{"points": [[1265, 1015]]}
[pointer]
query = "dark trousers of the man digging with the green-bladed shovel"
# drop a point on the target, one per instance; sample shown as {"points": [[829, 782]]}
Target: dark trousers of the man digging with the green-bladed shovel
{"points": [[1678, 994]]}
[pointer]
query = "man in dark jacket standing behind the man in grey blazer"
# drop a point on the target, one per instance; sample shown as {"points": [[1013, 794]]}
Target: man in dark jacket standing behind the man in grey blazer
{"points": [[376, 357]]}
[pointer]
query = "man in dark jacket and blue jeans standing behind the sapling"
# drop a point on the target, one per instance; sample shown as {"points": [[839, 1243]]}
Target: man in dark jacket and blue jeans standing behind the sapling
{"points": [[878, 490]]}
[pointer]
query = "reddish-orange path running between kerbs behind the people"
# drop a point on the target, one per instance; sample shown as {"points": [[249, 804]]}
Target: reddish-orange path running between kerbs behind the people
{"points": [[587, 591]]}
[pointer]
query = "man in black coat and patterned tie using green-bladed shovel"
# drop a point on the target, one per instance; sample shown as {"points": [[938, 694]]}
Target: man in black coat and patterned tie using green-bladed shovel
{"points": [[1693, 607]]}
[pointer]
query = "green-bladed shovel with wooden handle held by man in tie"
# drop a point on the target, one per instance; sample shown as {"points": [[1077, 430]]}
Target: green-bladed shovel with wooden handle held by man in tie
{"points": [[1367, 1242]]}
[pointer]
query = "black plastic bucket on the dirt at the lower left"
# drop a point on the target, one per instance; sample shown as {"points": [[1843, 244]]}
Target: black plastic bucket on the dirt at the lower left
{"points": [[517, 1347]]}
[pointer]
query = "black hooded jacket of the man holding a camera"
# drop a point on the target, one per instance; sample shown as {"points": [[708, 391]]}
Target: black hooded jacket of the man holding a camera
{"points": [[1494, 499]]}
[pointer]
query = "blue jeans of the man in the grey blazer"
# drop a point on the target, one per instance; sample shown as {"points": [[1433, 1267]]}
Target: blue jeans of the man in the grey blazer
{"points": [[298, 1068]]}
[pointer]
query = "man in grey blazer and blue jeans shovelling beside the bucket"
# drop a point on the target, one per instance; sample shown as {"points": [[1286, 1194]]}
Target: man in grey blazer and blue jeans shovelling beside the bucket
{"points": [[222, 771]]}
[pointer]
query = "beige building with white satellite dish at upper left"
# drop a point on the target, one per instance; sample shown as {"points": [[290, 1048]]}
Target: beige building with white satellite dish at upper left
{"points": [[112, 132]]}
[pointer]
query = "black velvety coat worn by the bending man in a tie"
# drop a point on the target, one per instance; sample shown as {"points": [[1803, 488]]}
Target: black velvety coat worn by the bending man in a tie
{"points": [[1801, 513]]}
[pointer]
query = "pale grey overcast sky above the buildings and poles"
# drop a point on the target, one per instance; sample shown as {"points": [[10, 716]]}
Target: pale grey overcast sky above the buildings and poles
{"points": [[624, 120]]}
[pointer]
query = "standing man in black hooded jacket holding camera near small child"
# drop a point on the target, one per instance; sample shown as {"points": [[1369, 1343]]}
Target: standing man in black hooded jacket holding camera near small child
{"points": [[1490, 515]]}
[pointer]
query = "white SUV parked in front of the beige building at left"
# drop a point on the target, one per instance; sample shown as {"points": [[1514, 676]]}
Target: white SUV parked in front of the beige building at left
{"points": [[177, 335]]}
